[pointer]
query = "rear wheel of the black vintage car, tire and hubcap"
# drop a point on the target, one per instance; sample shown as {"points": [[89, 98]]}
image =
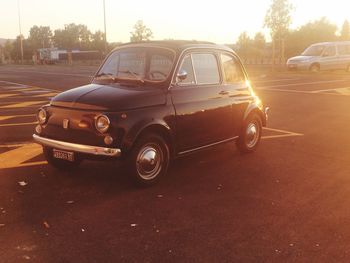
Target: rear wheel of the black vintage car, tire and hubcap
{"points": [[250, 134]]}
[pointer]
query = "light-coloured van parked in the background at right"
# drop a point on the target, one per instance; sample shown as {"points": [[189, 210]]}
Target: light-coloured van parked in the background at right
{"points": [[323, 56]]}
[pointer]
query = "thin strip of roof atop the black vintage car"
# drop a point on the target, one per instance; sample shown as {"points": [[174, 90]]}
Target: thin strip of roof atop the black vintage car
{"points": [[177, 45]]}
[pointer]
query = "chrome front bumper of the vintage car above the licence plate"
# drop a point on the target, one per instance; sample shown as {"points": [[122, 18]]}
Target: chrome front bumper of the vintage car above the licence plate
{"points": [[81, 148]]}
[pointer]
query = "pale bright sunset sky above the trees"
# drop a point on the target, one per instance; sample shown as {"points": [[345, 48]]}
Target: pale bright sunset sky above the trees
{"points": [[219, 21]]}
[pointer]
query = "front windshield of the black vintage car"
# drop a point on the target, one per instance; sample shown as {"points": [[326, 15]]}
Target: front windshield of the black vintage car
{"points": [[139, 64]]}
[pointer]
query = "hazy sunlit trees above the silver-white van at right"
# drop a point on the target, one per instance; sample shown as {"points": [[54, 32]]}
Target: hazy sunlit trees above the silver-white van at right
{"points": [[286, 42]]}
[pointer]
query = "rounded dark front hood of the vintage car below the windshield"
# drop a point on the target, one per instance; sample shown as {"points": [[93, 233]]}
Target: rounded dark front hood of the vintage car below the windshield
{"points": [[114, 97]]}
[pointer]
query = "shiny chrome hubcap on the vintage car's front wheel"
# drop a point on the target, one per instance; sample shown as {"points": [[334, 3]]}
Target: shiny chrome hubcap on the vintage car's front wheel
{"points": [[149, 161]]}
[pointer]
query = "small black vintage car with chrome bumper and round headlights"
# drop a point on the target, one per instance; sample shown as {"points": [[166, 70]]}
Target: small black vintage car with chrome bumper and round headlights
{"points": [[150, 102]]}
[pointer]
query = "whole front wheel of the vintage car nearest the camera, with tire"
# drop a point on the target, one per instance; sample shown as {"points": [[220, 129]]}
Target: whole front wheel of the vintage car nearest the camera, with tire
{"points": [[148, 160]]}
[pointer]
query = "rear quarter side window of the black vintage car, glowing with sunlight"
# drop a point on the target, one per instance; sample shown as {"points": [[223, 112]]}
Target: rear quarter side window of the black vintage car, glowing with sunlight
{"points": [[232, 71]]}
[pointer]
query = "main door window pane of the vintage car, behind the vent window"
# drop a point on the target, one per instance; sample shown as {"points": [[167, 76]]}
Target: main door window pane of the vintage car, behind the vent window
{"points": [[206, 68]]}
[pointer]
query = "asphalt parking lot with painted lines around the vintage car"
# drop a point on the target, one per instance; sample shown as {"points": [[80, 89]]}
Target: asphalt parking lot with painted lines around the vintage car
{"points": [[288, 202]]}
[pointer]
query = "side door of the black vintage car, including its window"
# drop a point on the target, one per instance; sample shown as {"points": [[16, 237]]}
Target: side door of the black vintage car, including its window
{"points": [[203, 110]]}
